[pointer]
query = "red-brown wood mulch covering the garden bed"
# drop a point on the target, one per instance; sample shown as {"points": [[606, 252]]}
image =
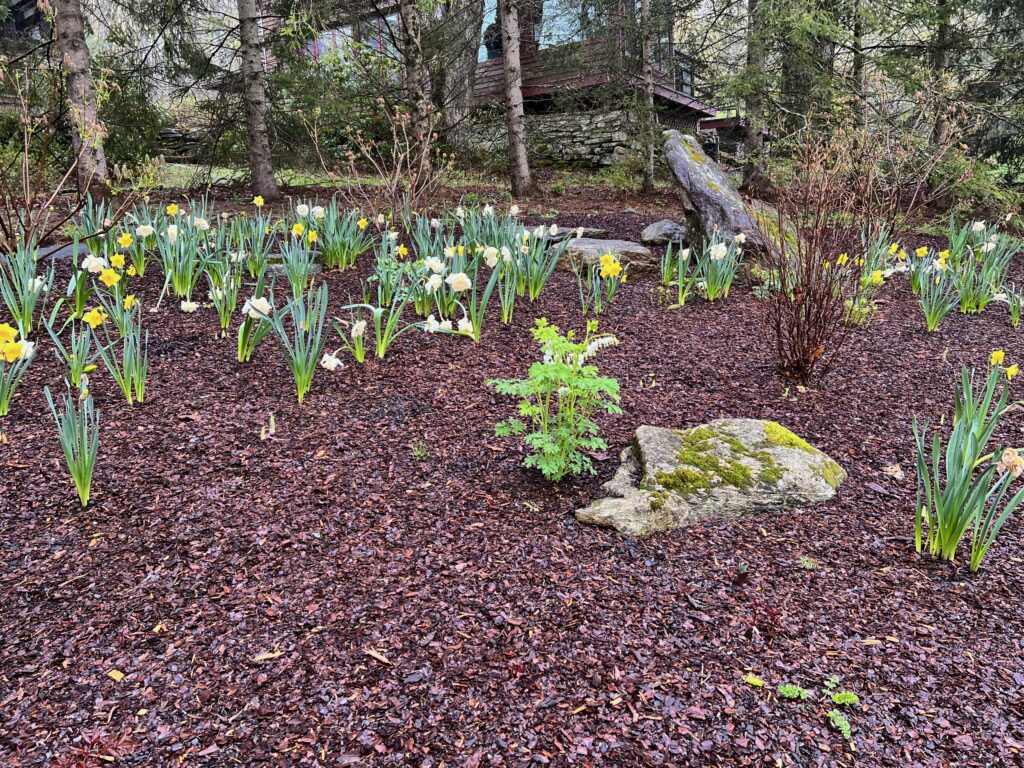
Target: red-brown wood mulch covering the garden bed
{"points": [[326, 599]]}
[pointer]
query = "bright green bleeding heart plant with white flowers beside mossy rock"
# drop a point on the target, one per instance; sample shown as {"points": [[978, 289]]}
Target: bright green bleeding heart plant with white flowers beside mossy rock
{"points": [[559, 401]]}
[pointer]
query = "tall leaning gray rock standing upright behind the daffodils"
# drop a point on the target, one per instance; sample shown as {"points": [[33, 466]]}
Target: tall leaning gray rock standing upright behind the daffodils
{"points": [[711, 201]]}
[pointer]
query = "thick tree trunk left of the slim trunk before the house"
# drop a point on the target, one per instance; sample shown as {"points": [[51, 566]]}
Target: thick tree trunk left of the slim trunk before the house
{"points": [[455, 39]]}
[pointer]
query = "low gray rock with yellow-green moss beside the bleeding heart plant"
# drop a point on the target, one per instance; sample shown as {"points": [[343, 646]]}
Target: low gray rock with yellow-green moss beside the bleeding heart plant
{"points": [[671, 479]]}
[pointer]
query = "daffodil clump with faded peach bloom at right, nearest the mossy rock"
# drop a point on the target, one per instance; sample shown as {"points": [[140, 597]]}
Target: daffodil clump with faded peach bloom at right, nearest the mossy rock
{"points": [[956, 491]]}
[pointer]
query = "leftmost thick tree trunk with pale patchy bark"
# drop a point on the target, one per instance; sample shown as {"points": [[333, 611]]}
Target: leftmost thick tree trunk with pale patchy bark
{"points": [[88, 133]]}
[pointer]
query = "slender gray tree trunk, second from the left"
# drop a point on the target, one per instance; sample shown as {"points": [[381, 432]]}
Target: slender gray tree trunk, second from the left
{"points": [[261, 164]]}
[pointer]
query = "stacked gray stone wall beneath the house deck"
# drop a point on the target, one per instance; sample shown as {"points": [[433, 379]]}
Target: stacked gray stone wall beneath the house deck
{"points": [[579, 139]]}
